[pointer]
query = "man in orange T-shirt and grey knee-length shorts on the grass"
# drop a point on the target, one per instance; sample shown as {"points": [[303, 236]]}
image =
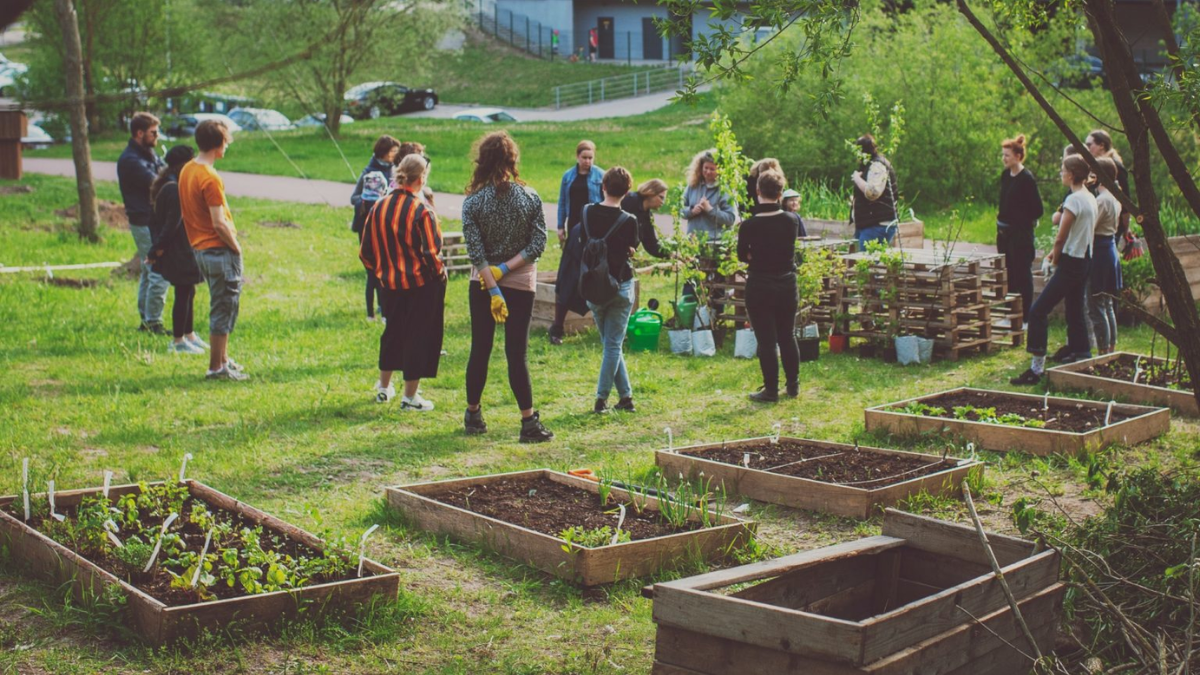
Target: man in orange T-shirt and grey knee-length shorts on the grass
{"points": [[213, 236]]}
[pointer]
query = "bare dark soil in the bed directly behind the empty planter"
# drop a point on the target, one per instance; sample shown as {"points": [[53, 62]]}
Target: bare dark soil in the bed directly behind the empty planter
{"points": [[829, 465]]}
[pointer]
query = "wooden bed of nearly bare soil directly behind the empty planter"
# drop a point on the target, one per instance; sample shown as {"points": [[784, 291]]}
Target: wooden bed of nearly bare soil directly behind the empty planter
{"points": [[815, 475]]}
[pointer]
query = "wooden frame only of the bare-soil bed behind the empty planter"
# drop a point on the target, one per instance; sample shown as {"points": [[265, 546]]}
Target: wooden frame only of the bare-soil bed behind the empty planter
{"points": [[854, 501]]}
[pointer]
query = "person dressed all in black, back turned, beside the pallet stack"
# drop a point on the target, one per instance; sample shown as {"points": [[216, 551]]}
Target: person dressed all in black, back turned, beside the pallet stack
{"points": [[767, 243]]}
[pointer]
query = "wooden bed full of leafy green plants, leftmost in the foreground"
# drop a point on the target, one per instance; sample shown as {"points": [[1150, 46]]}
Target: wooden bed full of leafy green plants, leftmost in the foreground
{"points": [[311, 578]]}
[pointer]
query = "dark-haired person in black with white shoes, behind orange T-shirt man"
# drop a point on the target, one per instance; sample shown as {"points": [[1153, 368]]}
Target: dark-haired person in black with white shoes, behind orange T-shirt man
{"points": [[172, 255]]}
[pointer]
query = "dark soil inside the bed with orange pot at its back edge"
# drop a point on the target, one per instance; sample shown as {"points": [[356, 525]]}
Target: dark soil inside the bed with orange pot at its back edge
{"points": [[549, 507]]}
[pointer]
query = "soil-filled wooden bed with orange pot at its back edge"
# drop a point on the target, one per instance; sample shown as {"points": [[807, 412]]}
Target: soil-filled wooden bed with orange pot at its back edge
{"points": [[524, 515]]}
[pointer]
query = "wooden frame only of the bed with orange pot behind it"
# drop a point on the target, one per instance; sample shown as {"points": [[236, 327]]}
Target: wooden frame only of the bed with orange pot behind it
{"points": [[587, 566]]}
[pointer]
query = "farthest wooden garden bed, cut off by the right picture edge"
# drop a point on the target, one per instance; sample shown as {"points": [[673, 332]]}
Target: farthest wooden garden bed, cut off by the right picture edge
{"points": [[1113, 377]]}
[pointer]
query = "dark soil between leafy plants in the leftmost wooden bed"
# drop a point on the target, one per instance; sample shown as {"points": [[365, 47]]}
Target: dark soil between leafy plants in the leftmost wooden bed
{"points": [[158, 584]]}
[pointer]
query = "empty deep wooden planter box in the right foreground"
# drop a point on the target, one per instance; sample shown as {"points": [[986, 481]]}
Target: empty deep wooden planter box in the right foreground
{"points": [[895, 605]]}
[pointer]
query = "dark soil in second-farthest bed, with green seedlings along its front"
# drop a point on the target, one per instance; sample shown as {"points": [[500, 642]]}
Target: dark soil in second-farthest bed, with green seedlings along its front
{"points": [[1061, 417]]}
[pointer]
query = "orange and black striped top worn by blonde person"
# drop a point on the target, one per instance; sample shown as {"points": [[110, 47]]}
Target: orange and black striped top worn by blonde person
{"points": [[403, 242]]}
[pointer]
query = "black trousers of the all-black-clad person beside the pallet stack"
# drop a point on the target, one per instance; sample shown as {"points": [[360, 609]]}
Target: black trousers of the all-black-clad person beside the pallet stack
{"points": [[771, 304]]}
